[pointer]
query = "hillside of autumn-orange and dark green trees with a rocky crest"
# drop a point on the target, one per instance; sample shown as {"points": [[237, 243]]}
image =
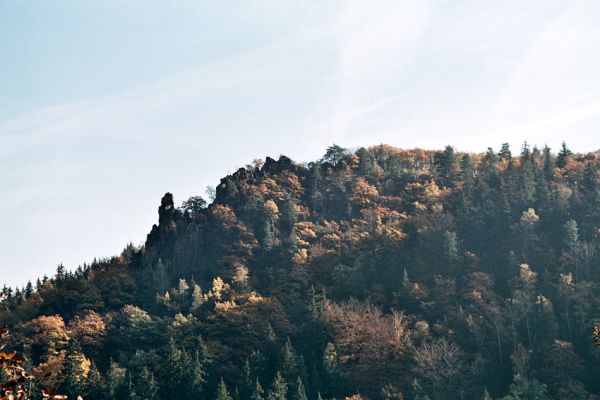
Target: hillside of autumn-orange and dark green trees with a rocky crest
{"points": [[381, 273]]}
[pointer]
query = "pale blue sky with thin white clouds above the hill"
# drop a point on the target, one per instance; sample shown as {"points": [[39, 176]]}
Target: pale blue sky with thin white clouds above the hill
{"points": [[105, 106]]}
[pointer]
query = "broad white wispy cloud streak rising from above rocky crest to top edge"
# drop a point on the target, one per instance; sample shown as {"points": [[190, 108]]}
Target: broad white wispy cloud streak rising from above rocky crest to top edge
{"points": [[375, 43]]}
